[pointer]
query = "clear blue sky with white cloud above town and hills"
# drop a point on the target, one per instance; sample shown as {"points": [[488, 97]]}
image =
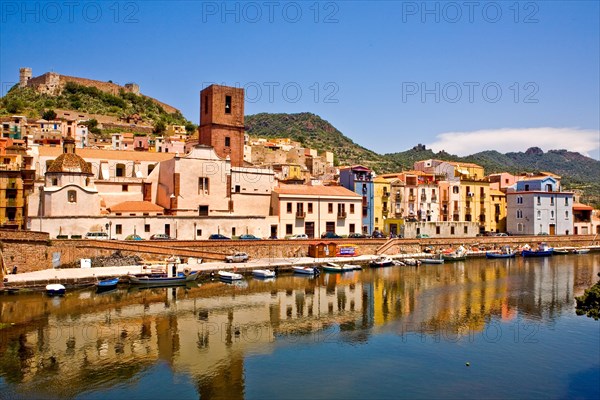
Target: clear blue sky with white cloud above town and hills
{"points": [[462, 76]]}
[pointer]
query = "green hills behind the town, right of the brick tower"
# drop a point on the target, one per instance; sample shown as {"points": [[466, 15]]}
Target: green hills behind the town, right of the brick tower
{"points": [[578, 172]]}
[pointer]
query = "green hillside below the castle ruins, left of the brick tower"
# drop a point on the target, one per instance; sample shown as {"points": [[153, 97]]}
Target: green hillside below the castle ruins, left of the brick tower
{"points": [[29, 102]]}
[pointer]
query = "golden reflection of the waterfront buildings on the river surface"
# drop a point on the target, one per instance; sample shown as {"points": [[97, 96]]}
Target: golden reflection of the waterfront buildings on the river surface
{"points": [[85, 341]]}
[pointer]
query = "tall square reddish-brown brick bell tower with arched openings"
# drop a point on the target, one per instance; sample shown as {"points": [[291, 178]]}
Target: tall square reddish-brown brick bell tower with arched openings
{"points": [[222, 122]]}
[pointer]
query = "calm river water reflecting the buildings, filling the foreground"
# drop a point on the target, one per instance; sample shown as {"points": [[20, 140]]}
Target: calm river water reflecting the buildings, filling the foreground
{"points": [[475, 329]]}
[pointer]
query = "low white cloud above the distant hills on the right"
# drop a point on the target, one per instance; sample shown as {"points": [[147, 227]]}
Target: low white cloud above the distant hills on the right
{"points": [[505, 140]]}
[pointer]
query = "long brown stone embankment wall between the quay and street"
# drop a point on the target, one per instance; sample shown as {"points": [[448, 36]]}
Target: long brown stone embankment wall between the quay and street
{"points": [[33, 251]]}
